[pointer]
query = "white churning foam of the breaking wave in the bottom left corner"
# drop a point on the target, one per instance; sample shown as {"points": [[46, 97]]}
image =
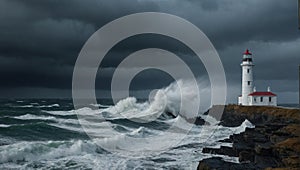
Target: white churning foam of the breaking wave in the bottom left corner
{"points": [[57, 154]]}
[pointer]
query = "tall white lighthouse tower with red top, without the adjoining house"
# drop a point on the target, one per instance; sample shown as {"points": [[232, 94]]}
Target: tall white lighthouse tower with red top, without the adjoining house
{"points": [[247, 77]]}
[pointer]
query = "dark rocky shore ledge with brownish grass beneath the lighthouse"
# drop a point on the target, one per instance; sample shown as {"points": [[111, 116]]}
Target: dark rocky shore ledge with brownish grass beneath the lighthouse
{"points": [[274, 143]]}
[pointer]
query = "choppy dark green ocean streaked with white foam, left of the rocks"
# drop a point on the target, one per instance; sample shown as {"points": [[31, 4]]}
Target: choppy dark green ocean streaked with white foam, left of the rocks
{"points": [[46, 134]]}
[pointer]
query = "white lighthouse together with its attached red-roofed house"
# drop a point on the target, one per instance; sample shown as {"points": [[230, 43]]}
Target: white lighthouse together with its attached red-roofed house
{"points": [[250, 96]]}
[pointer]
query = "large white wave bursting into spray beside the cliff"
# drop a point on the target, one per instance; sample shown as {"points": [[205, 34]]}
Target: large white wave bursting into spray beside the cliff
{"points": [[165, 100]]}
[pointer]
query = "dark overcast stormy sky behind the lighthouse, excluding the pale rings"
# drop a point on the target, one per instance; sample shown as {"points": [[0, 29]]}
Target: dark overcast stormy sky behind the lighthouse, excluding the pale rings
{"points": [[40, 42]]}
